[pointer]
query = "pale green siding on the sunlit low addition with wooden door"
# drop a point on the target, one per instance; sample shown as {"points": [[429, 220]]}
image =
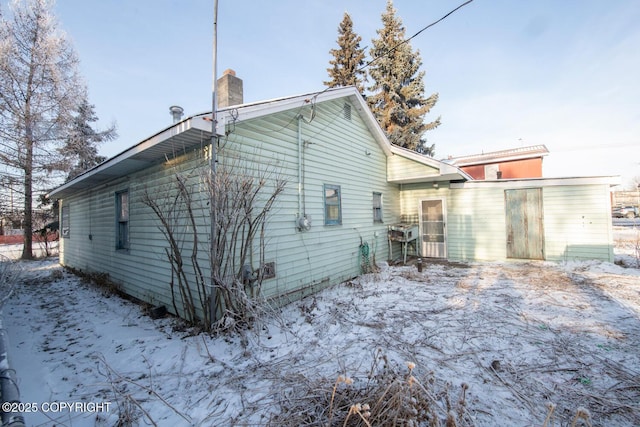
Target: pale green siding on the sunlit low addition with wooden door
{"points": [[576, 222]]}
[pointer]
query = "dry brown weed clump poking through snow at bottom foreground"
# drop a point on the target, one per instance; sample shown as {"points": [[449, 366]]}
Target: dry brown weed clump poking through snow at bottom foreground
{"points": [[387, 395]]}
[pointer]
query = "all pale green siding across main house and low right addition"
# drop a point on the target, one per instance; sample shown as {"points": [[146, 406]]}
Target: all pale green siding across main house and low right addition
{"points": [[334, 150]]}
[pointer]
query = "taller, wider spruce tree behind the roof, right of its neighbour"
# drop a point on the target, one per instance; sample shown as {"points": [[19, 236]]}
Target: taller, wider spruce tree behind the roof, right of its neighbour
{"points": [[397, 94]]}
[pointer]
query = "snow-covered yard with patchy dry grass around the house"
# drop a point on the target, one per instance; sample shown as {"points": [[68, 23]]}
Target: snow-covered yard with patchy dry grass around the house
{"points": [[524, 337]]}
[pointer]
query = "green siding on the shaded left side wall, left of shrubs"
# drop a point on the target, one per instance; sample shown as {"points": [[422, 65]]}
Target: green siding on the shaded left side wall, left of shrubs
{"points": [[142, 271]]}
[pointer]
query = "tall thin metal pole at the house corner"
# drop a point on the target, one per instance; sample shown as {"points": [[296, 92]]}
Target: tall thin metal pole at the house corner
{"points": [[212, 169]]}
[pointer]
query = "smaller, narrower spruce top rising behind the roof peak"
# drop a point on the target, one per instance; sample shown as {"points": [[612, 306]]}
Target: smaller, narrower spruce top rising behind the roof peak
{"points": [[348, 59]]}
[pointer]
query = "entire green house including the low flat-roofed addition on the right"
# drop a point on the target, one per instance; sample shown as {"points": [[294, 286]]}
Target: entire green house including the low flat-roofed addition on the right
{"points": [[346, 184]]}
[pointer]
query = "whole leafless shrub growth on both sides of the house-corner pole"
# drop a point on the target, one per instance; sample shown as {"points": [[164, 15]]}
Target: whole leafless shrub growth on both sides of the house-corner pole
{"points": [[219, 287]]}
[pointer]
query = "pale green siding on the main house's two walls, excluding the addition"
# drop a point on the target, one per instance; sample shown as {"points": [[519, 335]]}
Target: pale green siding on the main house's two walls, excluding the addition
{"points": [[335, 151]]}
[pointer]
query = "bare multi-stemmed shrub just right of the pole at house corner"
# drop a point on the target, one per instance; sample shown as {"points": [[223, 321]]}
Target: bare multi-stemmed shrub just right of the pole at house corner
{"points": [[243, 196]]}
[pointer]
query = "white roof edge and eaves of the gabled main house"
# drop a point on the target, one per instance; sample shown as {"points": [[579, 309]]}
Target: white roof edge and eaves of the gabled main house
{"points": [[195, 131]]}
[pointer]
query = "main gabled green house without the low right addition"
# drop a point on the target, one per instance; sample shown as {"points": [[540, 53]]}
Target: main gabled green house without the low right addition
{"points": [[342, 191]]}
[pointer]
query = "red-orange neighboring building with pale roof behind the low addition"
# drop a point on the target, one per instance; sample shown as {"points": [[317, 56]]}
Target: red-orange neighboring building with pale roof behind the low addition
{"points": [[524, 162]]}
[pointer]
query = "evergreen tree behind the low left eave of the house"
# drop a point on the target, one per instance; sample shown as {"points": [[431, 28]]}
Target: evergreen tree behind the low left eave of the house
{"points": [[81, 146]]}
